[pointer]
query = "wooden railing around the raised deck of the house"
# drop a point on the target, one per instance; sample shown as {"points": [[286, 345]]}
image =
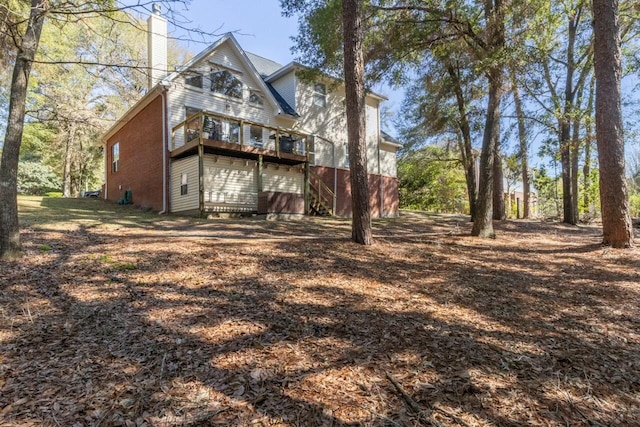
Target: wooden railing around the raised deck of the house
{"points": [[211, 126]]}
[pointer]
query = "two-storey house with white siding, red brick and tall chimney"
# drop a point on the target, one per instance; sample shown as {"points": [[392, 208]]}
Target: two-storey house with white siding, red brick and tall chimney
{"points": [[231, 131]]}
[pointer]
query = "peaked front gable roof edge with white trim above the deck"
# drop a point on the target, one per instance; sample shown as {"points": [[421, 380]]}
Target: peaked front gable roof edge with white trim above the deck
{"points": [[269, 92]]}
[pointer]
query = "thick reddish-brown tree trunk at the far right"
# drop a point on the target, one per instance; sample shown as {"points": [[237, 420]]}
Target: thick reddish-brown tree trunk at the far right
{"points": [[614, 200]]}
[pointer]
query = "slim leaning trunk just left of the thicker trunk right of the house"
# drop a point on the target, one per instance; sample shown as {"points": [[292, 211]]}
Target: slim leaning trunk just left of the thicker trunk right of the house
{"points": [[466, 150]]}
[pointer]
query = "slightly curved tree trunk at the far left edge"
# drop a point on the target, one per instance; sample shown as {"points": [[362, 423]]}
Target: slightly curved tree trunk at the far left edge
{"points": [[9, 227]]}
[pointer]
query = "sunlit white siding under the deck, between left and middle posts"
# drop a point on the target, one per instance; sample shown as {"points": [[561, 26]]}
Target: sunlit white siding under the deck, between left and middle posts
{"points": [[230, 181]]}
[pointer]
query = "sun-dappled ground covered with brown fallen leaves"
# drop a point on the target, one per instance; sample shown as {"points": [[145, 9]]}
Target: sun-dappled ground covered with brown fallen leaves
{"points": [[115, 317]]}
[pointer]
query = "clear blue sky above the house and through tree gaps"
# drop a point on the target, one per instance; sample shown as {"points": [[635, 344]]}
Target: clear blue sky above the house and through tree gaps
{"points": [[260, 28]]}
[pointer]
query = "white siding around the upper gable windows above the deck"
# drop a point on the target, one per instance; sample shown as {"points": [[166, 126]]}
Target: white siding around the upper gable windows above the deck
{"points": [[224, 57]]}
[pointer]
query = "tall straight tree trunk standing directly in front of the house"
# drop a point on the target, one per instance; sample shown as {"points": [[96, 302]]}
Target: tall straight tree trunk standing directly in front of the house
{"points": [[361, 231]]}
